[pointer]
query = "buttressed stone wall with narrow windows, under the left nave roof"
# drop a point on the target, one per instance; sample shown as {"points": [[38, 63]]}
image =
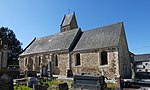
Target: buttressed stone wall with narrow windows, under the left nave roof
{"points": [[33, 62]]}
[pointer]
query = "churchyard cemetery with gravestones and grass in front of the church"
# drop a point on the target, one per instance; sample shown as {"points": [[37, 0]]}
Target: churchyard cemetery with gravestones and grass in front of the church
{"points": [[47, 81]]}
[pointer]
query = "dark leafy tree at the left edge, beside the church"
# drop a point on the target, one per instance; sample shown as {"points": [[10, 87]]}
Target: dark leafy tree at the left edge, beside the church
{"points": [[14, 45]]}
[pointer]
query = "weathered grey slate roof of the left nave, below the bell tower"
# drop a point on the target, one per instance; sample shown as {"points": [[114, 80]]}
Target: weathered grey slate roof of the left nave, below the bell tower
{"points": [[56, 42]]}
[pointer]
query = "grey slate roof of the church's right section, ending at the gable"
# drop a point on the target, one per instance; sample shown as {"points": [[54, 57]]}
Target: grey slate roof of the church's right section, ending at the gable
{"points": [[106, 36]]}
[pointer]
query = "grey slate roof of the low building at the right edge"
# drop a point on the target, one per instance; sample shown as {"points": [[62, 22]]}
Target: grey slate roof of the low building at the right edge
{"points": [[142, 57]]}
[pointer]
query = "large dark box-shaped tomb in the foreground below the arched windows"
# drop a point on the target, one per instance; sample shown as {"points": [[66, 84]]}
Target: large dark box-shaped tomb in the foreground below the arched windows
{"points": [[89, 82]]}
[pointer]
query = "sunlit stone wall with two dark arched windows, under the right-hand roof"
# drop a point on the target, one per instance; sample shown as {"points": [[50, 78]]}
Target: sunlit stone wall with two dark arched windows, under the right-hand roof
{"points": [[90, 63]]}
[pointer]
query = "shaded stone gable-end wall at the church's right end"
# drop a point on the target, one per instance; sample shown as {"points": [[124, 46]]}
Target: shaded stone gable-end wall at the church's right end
{"points": [[124, 63]]}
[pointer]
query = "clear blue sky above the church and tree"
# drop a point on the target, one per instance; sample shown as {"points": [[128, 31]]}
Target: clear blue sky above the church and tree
{"points": [[39, 18]]}
